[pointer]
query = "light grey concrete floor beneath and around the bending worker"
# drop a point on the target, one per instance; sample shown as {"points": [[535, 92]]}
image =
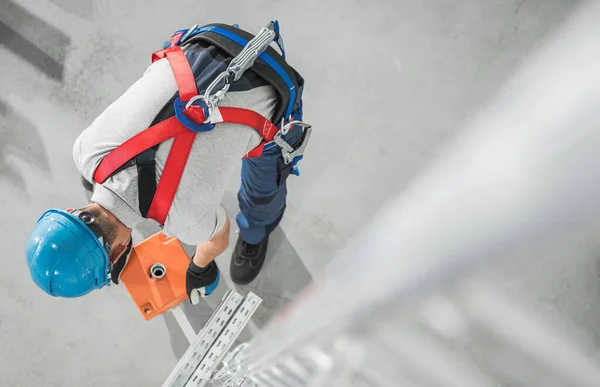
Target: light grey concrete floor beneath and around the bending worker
{"points": [[387, 84]]}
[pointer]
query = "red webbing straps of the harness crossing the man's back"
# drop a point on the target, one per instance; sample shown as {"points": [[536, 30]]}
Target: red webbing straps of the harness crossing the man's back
{"points": [[183, 137]]}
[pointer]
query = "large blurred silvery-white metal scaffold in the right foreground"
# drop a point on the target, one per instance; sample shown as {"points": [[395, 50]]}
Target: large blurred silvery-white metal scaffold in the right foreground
{"points": [[401, 306]]}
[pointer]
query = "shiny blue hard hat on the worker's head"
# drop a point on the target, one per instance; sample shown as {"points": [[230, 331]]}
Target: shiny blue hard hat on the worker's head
{"points": [[65, 257]]}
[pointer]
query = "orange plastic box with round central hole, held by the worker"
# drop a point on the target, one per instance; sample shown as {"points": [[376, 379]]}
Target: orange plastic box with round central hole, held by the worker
{"points": [[155, 275]]}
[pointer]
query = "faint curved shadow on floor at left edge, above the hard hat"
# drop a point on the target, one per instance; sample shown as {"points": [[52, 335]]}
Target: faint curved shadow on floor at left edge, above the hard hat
{"points": [[19, 138]]}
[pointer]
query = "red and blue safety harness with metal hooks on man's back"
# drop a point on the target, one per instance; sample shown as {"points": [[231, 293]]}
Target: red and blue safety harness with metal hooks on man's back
{"points": [[196, 113]]}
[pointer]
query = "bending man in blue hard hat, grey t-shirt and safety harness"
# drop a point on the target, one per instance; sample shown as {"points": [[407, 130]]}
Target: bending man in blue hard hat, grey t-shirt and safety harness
{"points": [[166, 149]]}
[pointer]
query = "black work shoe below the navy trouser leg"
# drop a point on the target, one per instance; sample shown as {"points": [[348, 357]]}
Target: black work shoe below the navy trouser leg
{"points": [[247, 260]]}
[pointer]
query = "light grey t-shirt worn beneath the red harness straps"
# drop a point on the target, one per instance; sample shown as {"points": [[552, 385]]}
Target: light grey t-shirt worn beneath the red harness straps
{"points": [[196, 213]]}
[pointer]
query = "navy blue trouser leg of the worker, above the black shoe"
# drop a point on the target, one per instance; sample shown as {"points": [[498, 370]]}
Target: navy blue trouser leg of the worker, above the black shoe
{"points": [[262, 195]]}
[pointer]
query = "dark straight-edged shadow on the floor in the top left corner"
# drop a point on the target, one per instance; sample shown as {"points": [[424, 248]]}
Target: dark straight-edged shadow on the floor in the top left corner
{"points": [[33, 40]]}
